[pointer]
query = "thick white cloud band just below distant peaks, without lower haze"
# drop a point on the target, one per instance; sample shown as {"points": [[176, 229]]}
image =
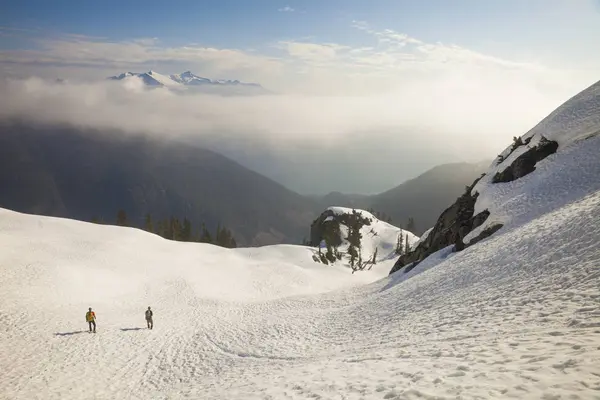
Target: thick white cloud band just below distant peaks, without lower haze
{"points": [[447, 108]]}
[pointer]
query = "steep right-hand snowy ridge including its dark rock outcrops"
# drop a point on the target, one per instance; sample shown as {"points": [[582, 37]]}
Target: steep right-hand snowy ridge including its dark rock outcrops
{"points": [[552, 165]]}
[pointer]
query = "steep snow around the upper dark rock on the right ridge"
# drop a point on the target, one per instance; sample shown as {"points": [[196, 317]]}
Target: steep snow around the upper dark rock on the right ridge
{"points": [[566, 176]]}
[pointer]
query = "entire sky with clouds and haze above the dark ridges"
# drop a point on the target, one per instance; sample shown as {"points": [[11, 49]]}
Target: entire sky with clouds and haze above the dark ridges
{"points": [[467, 75]]}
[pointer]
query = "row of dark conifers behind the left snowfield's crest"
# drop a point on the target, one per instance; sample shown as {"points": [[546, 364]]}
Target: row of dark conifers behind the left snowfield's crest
{"points": [[174, 228]]}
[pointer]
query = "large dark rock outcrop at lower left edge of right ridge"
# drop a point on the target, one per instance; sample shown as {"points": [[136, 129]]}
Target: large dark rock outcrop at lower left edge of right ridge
{"points": [[450, 229]]}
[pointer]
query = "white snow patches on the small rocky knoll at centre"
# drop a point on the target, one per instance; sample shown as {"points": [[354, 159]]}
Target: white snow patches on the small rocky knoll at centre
{"points": [[380, 236]]}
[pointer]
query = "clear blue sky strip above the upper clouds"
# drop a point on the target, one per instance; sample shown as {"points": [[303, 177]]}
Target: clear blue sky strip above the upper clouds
{"points": [[549, 30]]}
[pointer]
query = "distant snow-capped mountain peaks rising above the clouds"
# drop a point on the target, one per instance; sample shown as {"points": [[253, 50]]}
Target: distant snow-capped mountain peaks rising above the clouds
{"points": [[186, 79]]}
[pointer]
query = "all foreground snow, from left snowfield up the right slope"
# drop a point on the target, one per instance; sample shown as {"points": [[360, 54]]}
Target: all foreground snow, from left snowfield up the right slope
{"points": [[511, 314]]}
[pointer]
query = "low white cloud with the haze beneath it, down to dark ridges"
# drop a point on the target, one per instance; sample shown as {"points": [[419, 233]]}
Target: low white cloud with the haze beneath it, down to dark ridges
{"points": [[378, 140]]}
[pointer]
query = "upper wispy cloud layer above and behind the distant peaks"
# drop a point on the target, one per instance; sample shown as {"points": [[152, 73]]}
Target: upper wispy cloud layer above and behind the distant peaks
{"points": [[389, 61]]}
